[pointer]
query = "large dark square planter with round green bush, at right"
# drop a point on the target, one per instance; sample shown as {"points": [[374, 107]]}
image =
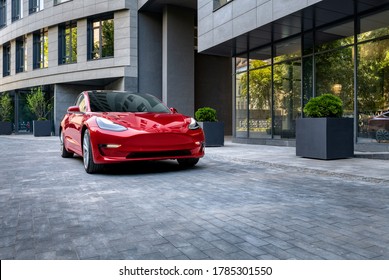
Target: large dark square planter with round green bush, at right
{"points": [[323, 133]]}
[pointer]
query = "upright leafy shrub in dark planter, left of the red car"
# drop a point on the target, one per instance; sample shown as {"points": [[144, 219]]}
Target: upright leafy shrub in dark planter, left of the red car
{"points": [[40, 107]]}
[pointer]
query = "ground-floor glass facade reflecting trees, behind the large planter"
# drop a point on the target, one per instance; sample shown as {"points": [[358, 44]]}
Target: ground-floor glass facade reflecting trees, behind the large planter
{"points": [[349, 59]]}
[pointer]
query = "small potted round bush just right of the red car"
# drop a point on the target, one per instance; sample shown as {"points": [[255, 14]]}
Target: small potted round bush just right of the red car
{"points": [[213, 129]]}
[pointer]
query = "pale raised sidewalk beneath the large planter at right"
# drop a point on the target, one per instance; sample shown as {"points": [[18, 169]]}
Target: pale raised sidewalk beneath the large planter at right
{"points": [[360, 167]]}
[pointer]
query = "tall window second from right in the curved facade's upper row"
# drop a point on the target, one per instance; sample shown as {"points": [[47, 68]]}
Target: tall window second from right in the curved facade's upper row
{"points": [[67, 43]]}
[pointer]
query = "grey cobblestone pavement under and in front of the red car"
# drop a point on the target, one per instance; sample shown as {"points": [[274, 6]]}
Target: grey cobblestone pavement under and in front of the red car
{"points": [[221, 209]]}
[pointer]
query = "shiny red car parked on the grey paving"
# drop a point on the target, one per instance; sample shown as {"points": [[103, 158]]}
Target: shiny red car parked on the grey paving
{"points": [[111, 127]]}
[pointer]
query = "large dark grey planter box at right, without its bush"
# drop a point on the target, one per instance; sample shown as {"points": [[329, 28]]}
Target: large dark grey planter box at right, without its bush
{"points": [[325, 138]]}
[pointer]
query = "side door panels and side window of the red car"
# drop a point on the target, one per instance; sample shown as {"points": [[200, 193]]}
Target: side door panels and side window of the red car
{"points": [[74, 126]]}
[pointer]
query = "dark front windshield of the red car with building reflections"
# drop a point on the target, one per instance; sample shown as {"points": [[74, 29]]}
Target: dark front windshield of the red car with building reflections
{"points": [[125, 102]]}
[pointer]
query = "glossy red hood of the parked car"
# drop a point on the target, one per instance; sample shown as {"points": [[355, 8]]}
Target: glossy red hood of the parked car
{"points": [[150, 122]]}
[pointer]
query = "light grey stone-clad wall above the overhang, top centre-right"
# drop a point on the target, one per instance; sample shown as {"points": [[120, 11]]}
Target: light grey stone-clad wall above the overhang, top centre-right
{"points": [[239, 17]]}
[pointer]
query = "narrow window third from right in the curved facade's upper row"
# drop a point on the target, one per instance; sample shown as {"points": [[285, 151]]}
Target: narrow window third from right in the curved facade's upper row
{"points": [[40, 49]]}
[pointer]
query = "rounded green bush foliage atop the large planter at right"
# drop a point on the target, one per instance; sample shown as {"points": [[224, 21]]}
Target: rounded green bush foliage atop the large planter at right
{"points": [[324, 106]]}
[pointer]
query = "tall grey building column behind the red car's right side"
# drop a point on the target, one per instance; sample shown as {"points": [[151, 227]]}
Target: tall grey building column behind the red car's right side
{"points": [[178, 59]]}
